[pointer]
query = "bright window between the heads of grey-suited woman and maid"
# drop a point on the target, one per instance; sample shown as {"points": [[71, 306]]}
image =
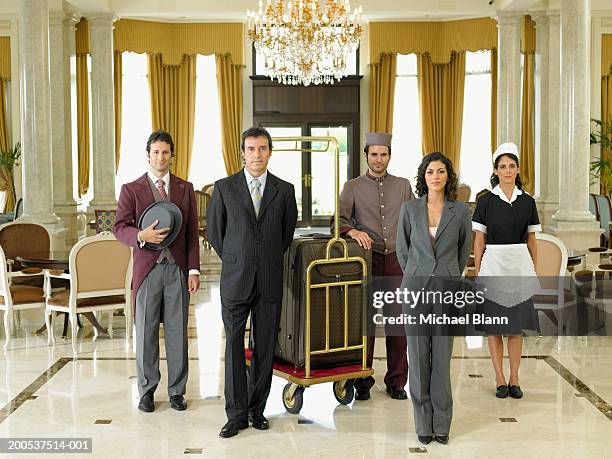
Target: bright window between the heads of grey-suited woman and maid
{"points": [[476, 167]]}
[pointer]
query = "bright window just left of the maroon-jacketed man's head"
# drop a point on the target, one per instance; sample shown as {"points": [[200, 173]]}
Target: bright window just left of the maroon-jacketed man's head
{"points": [[135, 121]]}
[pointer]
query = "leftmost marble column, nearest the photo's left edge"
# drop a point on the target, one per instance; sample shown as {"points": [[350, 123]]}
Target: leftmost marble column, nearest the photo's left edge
{"points": [[35, 112]]}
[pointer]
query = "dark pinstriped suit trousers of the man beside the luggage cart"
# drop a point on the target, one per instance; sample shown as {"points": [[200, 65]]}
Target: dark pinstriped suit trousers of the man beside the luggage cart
{"points": [[241, 395]]}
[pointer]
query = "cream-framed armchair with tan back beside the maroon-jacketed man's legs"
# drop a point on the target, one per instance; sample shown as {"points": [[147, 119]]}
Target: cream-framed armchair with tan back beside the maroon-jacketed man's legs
{"points": [[100, 280]]}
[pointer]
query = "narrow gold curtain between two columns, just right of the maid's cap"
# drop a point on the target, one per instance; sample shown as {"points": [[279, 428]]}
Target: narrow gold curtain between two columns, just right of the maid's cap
{"points": [[527, 150]]}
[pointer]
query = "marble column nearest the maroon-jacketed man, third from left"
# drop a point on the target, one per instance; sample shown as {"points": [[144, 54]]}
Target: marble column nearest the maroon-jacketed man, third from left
{"points": [[103, 111]]}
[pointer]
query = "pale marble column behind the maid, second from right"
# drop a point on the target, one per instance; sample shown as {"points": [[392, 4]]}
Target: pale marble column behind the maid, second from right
{"points": [[547, 95]]}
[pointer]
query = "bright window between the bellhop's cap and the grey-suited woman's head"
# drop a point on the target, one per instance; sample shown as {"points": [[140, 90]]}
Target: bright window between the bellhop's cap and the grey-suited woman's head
{"points": [[406, 143]]}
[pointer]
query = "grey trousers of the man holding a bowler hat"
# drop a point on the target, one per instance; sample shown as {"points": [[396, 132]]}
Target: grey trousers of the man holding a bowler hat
{"points": [[162, 293]]}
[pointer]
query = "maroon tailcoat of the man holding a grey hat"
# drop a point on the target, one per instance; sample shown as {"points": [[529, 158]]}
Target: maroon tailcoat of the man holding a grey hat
{"points": [[135, 197]]}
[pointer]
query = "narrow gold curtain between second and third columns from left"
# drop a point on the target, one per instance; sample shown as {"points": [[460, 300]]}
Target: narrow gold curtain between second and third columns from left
{"points": [[82, 85]]}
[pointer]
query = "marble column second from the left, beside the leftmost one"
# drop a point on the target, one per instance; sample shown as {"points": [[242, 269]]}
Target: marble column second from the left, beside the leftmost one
{"points": [[62, 47]]}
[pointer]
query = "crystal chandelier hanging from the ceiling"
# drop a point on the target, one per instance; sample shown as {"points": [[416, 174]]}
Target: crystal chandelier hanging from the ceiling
{"points": [[305, 42]]}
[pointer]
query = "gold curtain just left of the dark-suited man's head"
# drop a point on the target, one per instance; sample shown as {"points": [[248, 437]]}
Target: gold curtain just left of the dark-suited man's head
{"points": [[229, 84]]}
